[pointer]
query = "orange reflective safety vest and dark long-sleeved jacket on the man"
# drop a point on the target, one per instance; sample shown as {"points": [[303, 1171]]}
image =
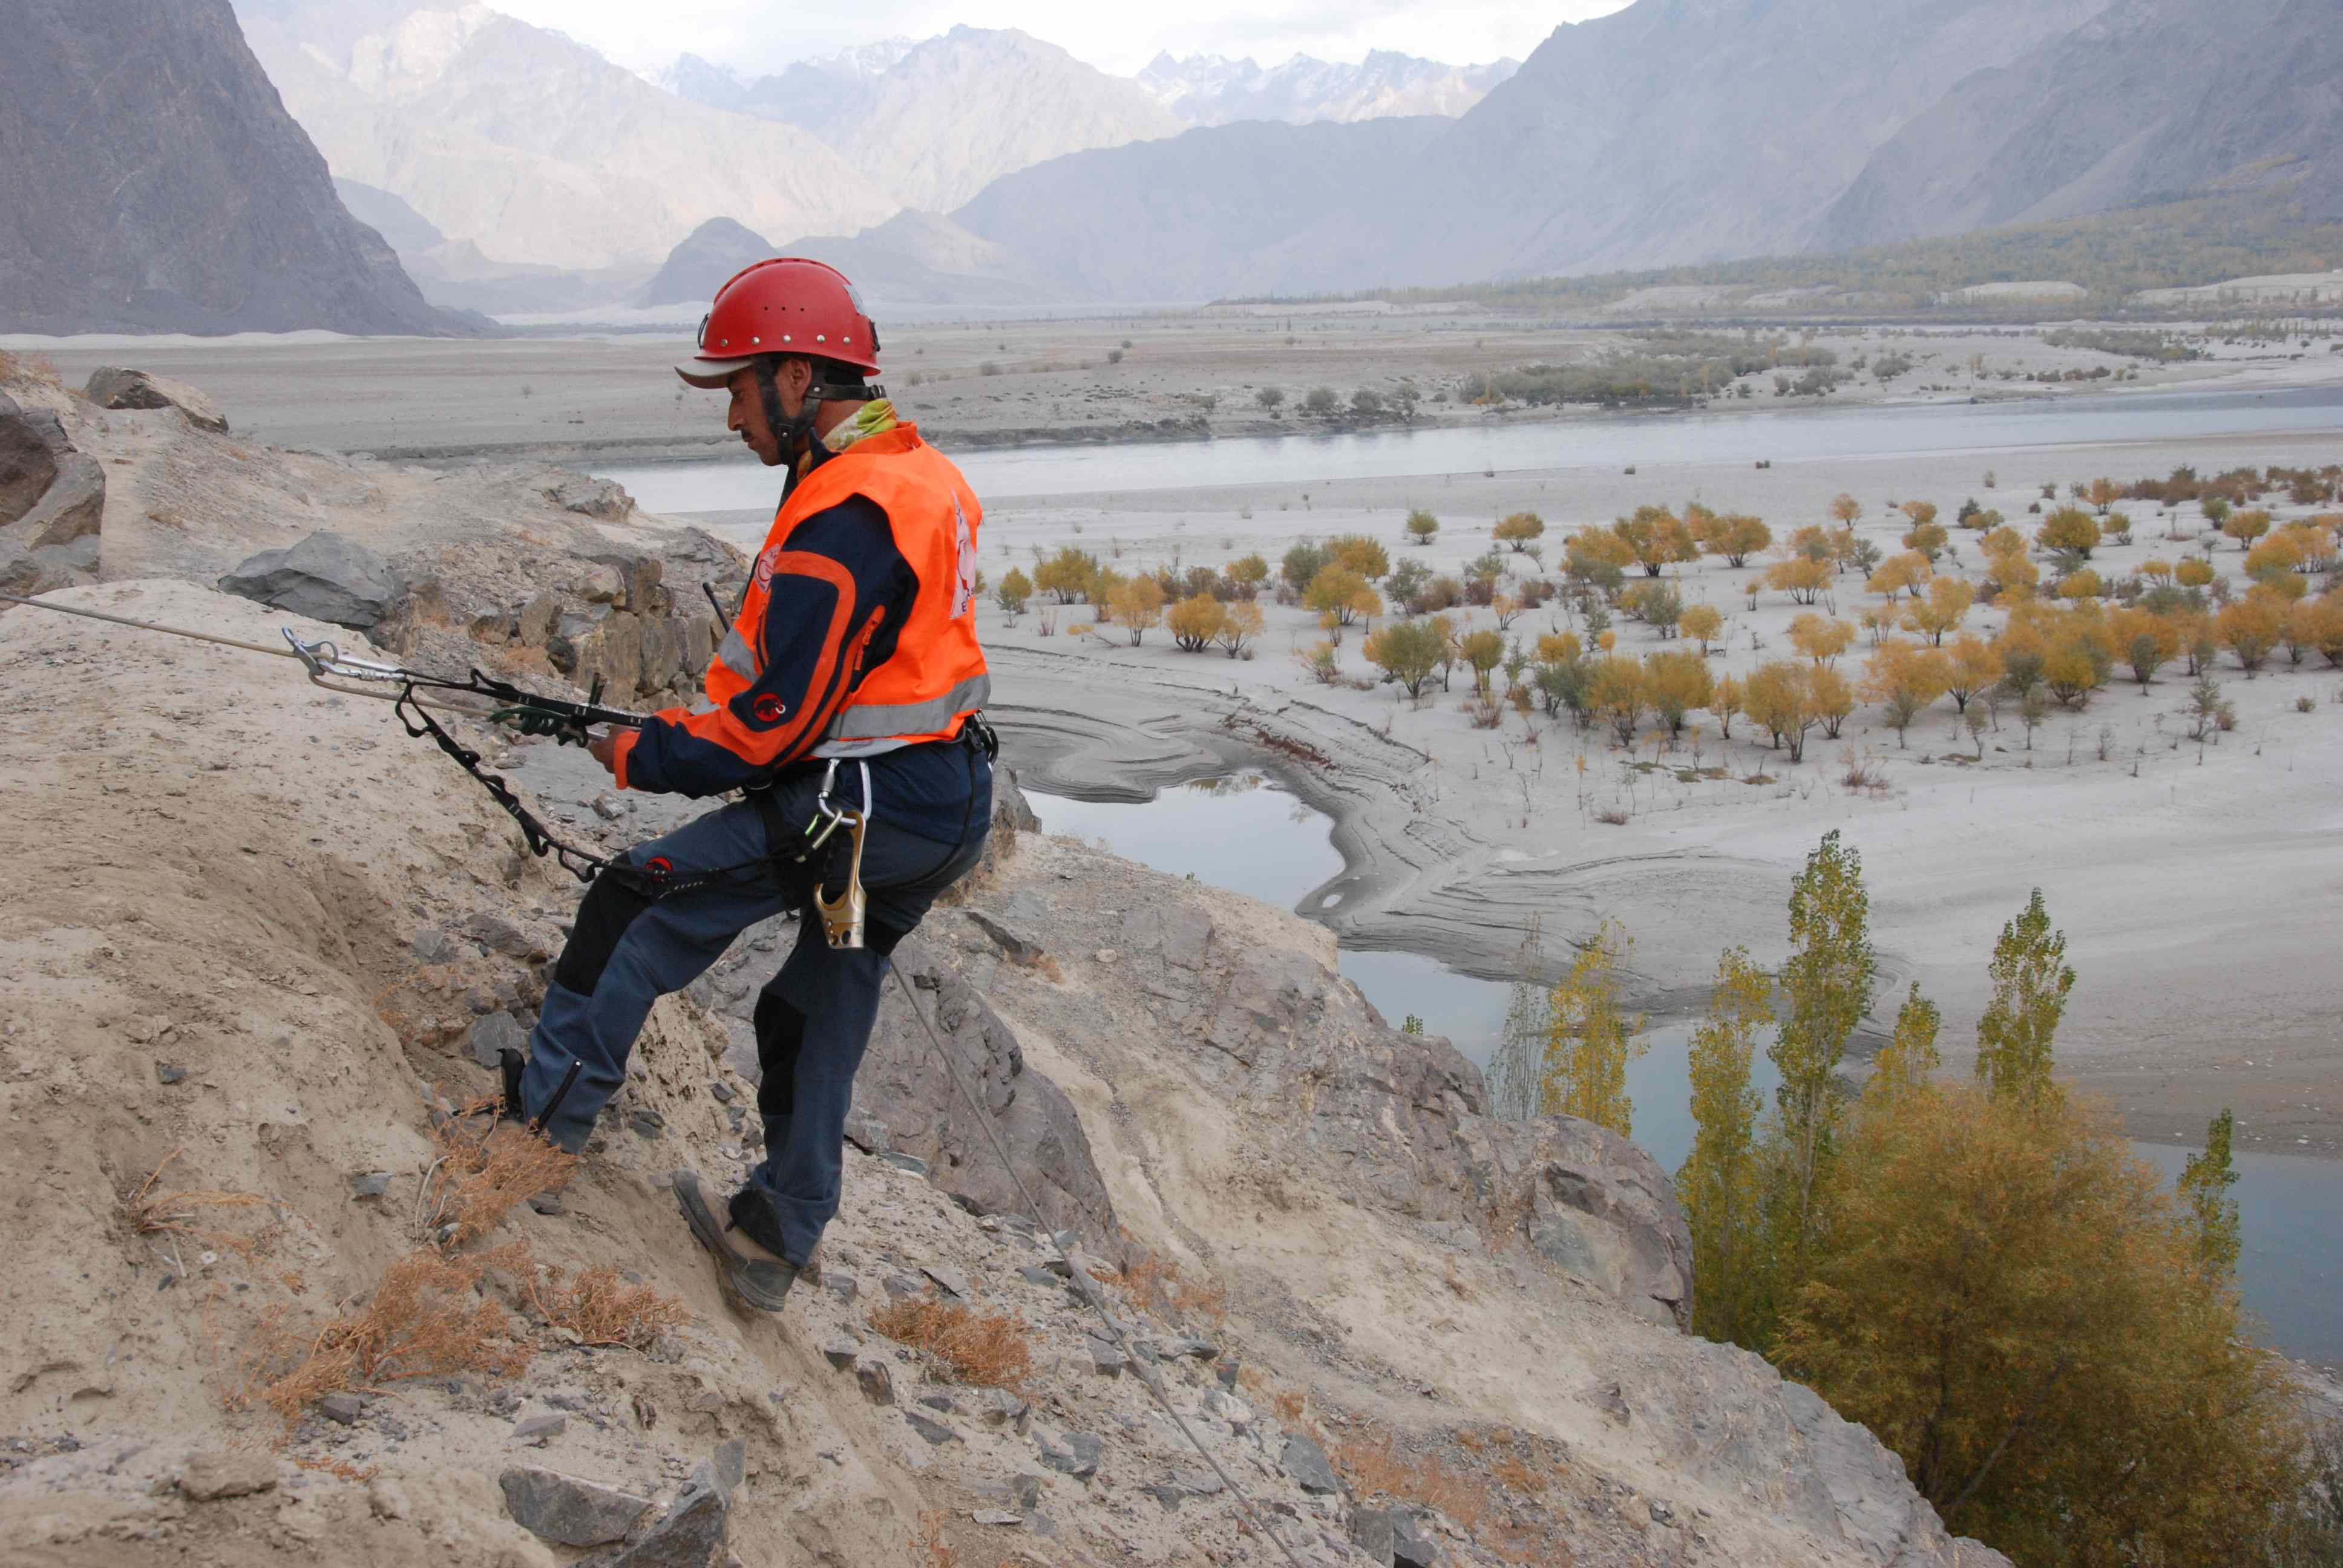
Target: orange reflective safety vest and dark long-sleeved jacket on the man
{"points": [[835, 697]]}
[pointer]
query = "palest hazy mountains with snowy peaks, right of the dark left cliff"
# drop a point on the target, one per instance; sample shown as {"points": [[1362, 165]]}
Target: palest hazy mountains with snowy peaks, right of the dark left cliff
{"points": [[540, 154]]}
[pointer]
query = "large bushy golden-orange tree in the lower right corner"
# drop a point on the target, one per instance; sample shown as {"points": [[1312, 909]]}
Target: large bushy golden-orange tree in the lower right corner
{"points": [[2018, 1311]]}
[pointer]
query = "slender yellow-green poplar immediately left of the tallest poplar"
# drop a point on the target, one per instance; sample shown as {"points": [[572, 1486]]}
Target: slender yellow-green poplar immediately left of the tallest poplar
{"points": [[1719, 1185]]}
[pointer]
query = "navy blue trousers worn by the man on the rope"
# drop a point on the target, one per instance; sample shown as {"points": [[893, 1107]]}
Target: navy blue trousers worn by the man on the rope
{"points": [[814, 1018]]}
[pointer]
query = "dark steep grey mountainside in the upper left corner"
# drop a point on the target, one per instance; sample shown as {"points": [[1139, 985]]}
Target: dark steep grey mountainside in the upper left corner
{"points": [[153, 182]]}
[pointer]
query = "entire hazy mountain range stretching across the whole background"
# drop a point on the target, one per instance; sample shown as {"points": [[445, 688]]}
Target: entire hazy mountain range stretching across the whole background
{"points": [[514, 170]]}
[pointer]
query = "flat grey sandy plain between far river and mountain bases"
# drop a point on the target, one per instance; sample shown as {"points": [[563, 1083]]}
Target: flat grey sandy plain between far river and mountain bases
{"points": [[613, 395]]}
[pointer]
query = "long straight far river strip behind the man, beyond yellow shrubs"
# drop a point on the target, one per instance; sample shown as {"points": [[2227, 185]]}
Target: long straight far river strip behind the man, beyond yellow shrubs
{"points": [[1606, 442]]}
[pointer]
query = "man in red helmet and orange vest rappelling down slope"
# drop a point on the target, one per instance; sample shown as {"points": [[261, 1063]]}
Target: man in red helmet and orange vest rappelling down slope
{"points": [[842, 707]]}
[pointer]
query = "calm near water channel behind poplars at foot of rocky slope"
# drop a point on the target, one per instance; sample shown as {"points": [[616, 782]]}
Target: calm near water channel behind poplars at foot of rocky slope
{"points": [[1252, 838]]}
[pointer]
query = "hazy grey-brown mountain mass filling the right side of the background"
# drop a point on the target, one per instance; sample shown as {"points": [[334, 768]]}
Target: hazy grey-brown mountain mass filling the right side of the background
{"points": [[1683, 132]]}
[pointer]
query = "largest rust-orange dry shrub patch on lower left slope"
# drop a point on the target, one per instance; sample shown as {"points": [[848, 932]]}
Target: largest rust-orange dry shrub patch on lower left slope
{"points": [[423, 1321]]}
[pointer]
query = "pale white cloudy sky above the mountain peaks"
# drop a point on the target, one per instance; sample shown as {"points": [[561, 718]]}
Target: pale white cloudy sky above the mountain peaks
{"points": [[767, 34]]}
